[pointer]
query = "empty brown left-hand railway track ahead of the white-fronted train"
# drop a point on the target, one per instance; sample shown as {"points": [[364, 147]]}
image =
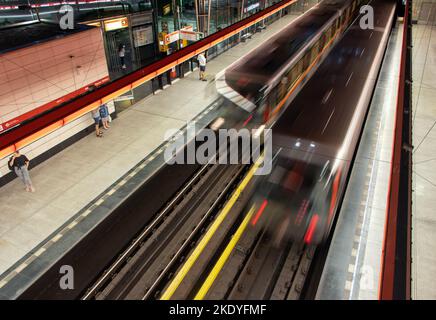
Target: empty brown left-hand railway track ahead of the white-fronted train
{"points": [[143, 269]]}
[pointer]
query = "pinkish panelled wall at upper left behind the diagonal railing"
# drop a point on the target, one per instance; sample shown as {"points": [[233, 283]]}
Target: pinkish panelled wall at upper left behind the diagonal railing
{"points": [[36, 75]]}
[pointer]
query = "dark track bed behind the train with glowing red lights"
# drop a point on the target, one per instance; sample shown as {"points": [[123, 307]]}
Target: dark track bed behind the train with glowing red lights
{"points": [[263, 267]]}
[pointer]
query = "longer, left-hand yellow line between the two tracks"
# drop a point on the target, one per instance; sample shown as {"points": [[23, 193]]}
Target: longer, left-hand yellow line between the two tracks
{"points": [[205, 240]]}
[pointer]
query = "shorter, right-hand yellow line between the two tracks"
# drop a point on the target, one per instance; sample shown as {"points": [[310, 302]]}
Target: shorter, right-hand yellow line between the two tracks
{"points": [[223, 258]]}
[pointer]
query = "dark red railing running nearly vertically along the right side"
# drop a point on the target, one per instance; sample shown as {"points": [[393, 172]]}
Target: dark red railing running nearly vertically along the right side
{"points": [[395, 276]]}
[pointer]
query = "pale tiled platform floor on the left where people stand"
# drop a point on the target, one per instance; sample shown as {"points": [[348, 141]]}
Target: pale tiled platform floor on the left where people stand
{"points": [[71, 179]]}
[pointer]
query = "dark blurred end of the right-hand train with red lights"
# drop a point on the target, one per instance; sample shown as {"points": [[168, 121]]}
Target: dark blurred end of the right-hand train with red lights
{"points": [[298, 200]]}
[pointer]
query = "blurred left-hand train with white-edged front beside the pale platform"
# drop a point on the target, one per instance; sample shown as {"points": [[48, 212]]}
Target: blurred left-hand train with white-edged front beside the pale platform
{"points": [[264, 81]]}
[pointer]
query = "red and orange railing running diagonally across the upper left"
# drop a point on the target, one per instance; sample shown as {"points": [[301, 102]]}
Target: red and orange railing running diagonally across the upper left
{"points": [[47, 122]]}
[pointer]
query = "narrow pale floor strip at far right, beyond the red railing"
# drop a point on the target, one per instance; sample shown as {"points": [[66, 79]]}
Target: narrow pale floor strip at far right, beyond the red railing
{"points": [[424, 161]]}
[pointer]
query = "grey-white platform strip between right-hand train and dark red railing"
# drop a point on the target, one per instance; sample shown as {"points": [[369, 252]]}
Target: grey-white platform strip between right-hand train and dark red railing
{"points": [[353, 263]]}
